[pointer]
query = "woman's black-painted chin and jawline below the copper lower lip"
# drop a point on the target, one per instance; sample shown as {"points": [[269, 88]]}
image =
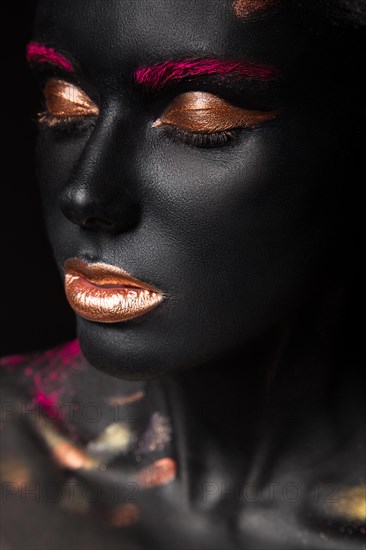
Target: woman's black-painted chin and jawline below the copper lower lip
{"points": [[150, 346]]}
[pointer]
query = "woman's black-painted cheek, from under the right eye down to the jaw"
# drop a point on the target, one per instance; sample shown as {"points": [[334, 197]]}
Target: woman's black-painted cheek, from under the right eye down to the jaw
{"points": [[248, 223]]}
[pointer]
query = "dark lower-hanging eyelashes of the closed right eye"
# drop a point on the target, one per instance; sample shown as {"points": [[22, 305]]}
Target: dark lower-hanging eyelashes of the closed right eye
{"points": [[199, 139]]}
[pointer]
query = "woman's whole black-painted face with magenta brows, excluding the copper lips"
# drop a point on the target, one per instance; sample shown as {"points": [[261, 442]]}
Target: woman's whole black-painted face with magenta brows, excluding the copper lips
{"points": [[216, 185]]}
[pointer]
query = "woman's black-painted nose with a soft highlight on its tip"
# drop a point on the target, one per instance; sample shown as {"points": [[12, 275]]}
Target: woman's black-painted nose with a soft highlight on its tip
{"points": [[98, 195]]}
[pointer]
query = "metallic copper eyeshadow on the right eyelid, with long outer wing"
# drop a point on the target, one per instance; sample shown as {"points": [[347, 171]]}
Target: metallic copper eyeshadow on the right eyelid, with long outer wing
{"points": [[202, 112]]}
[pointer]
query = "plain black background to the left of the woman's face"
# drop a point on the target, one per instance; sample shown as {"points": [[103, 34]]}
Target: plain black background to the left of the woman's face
{"points": [[34, 311]]}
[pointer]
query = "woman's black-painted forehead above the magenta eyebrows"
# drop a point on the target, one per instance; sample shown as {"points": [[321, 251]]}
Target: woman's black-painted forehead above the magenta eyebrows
{"points": [[126, 33]]}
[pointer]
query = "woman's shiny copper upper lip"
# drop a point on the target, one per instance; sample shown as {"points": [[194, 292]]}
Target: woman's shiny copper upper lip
{"points": [[102, 274]]}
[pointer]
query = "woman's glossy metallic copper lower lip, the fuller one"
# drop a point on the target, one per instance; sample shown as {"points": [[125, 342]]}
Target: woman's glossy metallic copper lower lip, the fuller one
{"points": [[108, 303]]}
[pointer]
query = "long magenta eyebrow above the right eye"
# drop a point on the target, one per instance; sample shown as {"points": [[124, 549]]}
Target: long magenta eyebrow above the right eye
{"points": [[159, 75]]}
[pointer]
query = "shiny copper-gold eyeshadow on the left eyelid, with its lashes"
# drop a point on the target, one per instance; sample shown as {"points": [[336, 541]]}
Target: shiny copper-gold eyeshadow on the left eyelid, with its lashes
{"points": [[65, 100]]}
